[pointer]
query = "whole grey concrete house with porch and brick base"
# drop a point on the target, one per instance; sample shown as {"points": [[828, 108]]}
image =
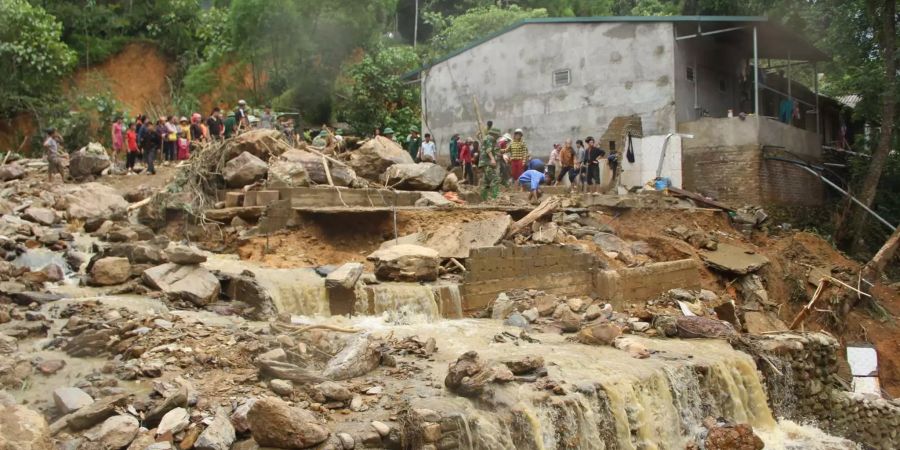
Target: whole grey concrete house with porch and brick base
{"points": [[561, 78]]}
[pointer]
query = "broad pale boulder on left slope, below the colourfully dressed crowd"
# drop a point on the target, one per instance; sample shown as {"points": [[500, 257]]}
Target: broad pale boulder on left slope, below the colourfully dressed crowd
{"points": [[90, 201]]}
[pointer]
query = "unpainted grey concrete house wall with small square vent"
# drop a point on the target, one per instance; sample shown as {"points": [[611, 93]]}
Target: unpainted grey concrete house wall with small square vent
{"points": [[616, 69]]}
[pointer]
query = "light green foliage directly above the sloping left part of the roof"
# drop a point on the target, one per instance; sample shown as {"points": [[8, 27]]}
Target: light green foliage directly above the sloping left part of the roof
{"points": [[454, 33]]}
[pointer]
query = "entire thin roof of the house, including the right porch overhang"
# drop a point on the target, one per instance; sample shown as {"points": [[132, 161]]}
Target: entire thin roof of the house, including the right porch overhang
{"points": [[784, 36]]}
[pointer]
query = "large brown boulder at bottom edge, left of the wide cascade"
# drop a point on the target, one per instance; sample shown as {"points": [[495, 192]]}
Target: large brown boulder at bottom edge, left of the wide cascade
{"points": [[274, 423]]}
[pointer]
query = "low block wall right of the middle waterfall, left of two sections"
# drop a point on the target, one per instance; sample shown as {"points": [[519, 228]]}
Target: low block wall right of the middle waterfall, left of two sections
{"points": [[561, 270]]}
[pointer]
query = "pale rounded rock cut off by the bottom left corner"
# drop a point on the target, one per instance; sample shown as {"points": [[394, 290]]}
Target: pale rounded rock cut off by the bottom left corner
{"points": [[22, 428]]}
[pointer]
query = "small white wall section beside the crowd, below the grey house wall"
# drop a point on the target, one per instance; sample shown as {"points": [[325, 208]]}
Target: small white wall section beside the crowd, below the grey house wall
{"points": [[647, 152]]}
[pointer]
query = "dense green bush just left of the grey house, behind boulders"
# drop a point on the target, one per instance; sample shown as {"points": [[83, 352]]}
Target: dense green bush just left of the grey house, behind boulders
{"points": [[377, 96]]}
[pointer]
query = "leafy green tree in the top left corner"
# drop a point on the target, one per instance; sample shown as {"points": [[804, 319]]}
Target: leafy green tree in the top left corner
{"points": [[32, 57]]}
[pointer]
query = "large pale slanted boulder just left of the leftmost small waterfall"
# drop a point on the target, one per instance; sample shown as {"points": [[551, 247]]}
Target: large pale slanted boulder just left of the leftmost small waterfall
{"points": [[191, 283]]}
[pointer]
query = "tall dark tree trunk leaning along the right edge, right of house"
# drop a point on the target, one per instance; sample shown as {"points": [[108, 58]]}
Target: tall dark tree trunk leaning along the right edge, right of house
{"points": [[882, 17]]}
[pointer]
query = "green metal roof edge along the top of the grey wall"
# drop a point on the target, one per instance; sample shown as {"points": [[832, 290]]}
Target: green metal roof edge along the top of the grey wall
{"points": [[589, 19]]}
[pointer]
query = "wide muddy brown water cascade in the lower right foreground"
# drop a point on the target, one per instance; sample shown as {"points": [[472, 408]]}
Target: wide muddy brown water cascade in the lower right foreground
{"points": [[613, 400]]}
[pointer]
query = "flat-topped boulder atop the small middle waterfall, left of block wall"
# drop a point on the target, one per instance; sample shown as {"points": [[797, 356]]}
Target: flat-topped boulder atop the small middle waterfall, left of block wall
{"points": [[406, 262]]}
